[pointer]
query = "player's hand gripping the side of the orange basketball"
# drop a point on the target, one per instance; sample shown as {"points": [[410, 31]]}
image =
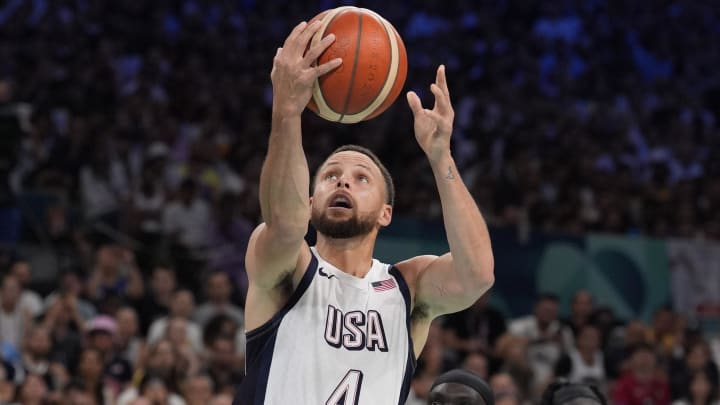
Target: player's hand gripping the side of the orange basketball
{"points": [[294, 70]]}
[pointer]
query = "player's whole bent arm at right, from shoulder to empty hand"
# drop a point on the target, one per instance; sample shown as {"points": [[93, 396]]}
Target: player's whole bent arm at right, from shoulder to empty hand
{"points": [[455, 280]]}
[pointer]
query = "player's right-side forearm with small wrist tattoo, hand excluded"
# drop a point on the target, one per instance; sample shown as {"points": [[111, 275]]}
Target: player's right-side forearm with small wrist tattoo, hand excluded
{"points": [[465, 227]]}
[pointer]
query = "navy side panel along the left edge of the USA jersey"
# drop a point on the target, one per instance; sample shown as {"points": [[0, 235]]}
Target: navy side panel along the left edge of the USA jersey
{"points": [[261, 344]]}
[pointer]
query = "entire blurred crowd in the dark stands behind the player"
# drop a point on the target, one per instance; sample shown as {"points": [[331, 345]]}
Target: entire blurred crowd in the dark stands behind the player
{"points": [[132, 135]]}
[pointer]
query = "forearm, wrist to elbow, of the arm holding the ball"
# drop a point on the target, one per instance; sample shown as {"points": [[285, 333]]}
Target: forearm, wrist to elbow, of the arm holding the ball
{"points": [[284, 180]]}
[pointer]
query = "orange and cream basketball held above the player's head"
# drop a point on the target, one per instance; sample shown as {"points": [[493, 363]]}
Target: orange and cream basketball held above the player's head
{"points": [[373, 71]]}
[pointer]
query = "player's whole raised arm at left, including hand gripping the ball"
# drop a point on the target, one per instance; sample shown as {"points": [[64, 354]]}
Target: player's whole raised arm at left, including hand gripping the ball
{"points": [[285, 181]]}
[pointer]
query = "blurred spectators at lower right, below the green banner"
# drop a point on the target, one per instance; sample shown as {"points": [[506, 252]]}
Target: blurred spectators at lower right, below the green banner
{"points": [[663, 362]]}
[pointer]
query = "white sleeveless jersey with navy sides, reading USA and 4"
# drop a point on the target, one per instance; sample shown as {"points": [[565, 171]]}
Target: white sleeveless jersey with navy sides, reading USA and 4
{"points": [[339, 340]]}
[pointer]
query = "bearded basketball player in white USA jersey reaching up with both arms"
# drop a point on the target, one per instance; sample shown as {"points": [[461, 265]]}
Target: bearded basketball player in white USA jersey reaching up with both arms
{"points": [[329, 324]]}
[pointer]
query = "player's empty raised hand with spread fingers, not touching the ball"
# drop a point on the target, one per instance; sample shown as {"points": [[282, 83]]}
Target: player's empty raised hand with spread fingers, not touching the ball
{"points": [[433, 128]]}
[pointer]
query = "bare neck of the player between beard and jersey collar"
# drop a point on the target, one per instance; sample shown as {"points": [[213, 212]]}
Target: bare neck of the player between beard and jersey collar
{"points": [[353, 256]]}
